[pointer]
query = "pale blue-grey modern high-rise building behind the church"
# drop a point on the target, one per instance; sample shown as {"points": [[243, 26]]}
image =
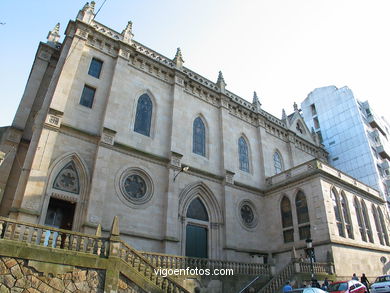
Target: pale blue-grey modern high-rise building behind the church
{"points": [[356, 139]]}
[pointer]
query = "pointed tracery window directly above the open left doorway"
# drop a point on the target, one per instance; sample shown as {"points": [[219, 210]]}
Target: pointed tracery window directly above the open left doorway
{"points": [[68, 179]]}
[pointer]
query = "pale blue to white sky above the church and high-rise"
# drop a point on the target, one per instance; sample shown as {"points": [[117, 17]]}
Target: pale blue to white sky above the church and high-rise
{"points": [[283, 49]]}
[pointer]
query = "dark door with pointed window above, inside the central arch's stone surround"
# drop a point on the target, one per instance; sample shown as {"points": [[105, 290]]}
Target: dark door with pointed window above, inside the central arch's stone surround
{"points": [[197, 228]]}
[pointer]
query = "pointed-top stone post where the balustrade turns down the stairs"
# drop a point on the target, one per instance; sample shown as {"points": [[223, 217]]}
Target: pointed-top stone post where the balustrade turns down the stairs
{"points": [[112, 272]]}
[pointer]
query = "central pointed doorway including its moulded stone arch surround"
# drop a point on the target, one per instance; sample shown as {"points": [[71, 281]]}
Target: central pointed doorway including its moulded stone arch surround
{"points": [[201, 222]]}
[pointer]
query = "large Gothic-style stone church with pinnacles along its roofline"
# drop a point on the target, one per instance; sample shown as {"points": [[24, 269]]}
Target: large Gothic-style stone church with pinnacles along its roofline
{"points": [[109, 127]]}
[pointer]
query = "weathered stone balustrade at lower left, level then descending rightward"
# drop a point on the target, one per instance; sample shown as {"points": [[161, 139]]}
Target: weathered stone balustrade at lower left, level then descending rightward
{"points": [[63, 241]]}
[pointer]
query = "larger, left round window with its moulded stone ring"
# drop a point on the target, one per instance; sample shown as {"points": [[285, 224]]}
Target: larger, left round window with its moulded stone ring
{"points": [[135, 186]]}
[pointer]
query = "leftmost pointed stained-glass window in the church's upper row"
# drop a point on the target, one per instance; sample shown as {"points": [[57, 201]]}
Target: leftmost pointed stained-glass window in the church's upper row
{"points": [[143, 117]]}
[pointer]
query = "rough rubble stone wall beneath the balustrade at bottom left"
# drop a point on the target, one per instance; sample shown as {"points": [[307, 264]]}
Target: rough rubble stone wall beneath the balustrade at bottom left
{"points": [[17, 275]]}
